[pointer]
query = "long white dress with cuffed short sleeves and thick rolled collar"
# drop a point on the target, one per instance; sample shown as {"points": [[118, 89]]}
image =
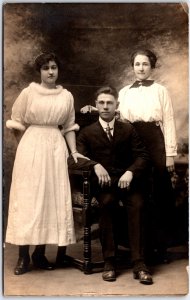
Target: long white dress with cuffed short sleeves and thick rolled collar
{"points": [[40, 207]]}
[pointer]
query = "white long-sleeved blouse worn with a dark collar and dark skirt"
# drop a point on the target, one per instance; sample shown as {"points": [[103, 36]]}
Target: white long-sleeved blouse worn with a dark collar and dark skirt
{"points": [[148, 104]]}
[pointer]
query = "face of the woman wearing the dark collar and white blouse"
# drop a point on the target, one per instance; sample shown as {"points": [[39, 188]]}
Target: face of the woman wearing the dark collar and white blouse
{"points": [[142, 67]]}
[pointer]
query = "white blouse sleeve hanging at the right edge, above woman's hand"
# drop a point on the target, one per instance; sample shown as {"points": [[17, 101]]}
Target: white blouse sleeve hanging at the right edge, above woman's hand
{"points": [[169, 129]]}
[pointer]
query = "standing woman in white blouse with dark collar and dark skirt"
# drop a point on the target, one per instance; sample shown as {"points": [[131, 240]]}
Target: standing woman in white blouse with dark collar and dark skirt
{"points": [[148, 106]]}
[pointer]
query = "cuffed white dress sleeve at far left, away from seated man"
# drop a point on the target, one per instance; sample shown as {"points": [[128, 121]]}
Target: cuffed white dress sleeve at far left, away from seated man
{"points": [[18, 112]]}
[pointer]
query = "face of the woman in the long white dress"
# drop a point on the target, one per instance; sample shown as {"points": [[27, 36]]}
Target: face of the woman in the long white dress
{"points": [[49, 74]]}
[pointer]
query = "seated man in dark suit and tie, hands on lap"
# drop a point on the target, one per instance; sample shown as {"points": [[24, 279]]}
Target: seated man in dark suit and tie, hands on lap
{"points": [[118, 159]]}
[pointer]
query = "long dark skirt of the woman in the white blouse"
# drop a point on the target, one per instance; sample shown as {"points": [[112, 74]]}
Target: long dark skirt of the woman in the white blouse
{"points": [[160, 204]]}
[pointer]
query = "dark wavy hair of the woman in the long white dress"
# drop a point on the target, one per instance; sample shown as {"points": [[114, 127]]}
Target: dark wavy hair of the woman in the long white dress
{"points": [[44, 58]]}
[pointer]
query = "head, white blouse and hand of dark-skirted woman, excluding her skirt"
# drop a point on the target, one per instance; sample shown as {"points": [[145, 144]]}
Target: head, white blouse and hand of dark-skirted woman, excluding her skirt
{"points": [[148, 101]]}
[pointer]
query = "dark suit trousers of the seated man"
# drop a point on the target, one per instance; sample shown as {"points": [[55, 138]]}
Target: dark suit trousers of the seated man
{"points": [[108, 198]]}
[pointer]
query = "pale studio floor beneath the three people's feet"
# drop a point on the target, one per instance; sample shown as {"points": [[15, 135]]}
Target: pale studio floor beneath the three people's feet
{"points": [[169, 279]]}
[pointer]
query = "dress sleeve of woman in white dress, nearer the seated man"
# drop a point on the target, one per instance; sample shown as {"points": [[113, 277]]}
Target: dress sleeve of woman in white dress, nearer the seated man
{"points": [[70, 124]]}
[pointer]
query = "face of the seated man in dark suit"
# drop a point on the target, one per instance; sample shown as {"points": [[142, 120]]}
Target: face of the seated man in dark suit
{"points": [[106, 105]]}
